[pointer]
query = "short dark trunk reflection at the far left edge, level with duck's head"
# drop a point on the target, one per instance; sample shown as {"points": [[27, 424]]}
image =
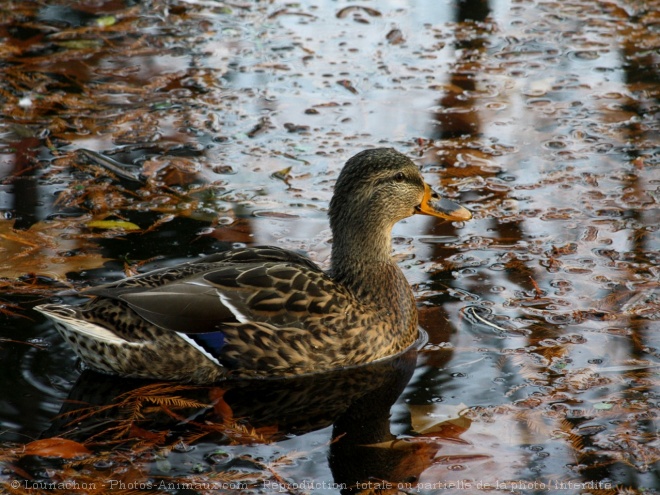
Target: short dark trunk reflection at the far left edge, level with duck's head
{"points": [[25, 187]]}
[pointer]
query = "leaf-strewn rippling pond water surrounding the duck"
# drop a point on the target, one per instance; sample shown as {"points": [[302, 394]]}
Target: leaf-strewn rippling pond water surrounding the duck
{"points": [[541, 371]]}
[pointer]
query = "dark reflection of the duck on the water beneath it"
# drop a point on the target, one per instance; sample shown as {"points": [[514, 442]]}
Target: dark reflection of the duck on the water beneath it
{"points": [[356, 401]]}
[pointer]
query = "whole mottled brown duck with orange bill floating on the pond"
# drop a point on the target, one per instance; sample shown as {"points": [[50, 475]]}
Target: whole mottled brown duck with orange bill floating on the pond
{"points": [[265, 311]]}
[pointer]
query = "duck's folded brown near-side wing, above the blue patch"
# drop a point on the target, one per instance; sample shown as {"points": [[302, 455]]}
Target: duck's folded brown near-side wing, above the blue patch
{"points": [[235, 290]]}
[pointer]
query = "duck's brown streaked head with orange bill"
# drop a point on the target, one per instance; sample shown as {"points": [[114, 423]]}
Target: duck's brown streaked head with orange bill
{"points": [[378, 187]]}
